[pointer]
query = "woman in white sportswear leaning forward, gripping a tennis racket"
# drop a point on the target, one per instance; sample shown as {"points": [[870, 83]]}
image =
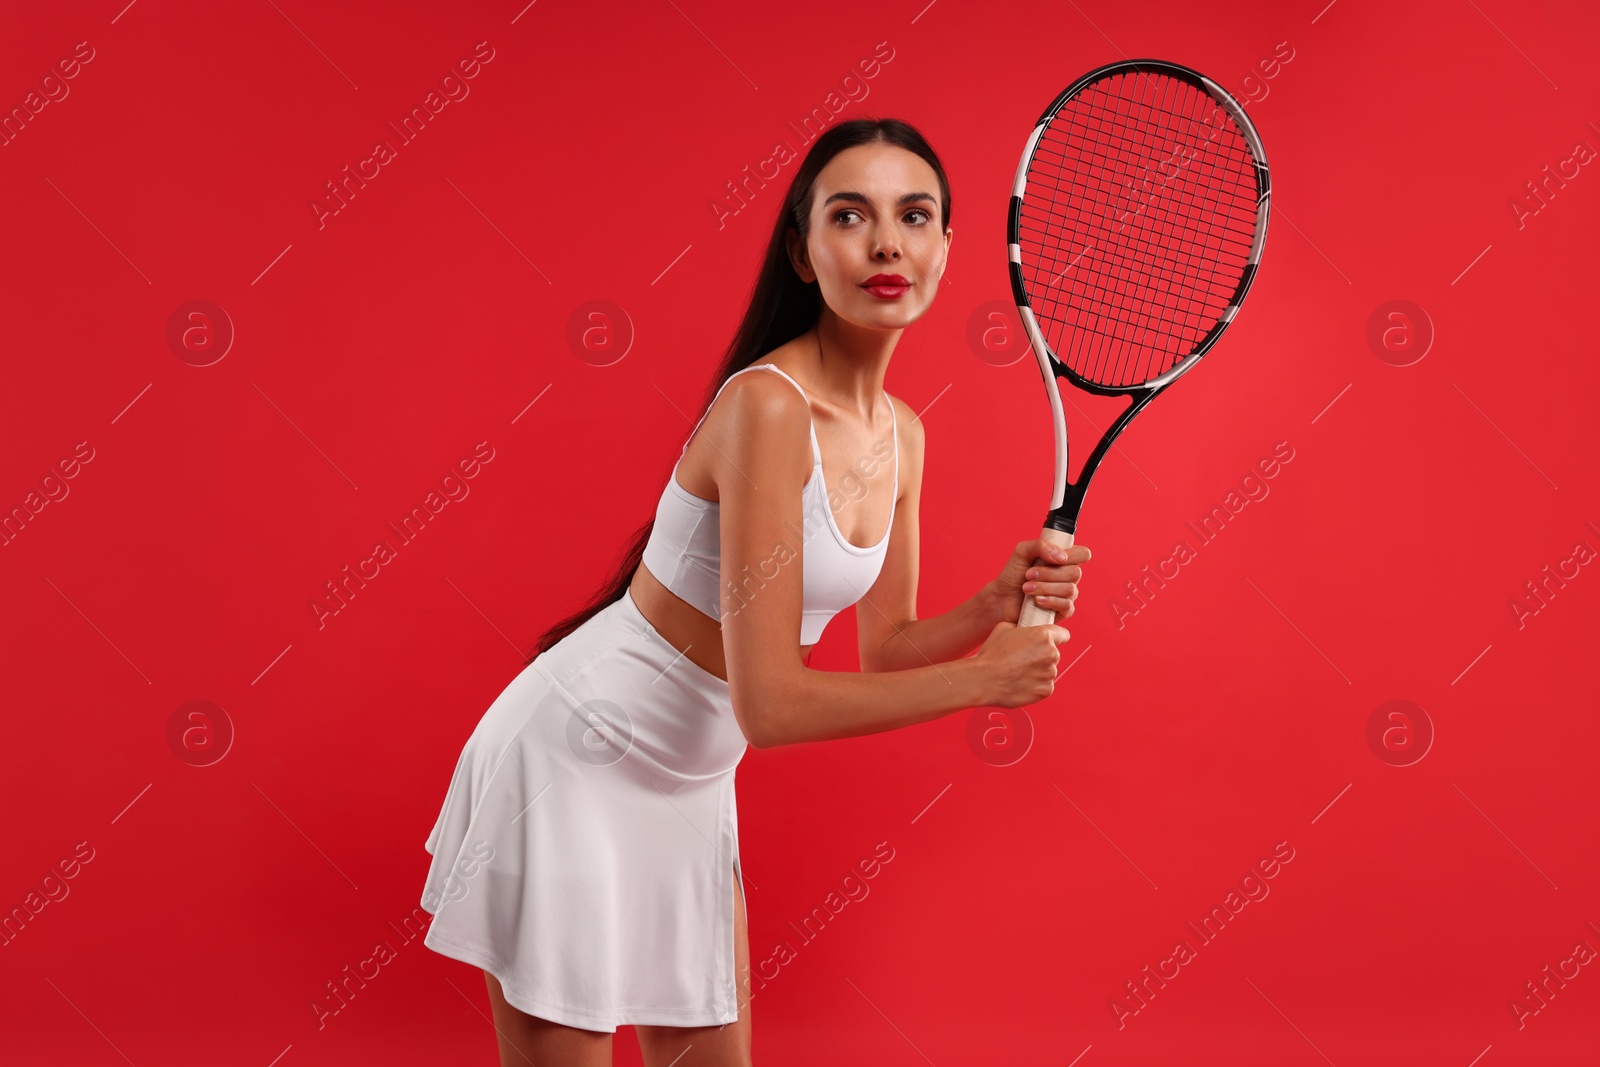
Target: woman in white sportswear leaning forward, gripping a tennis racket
{"points": [[586, 855]]}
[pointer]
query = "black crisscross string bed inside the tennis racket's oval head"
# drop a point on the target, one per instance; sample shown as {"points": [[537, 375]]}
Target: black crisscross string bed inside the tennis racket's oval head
{"points": [[1191, 236]]}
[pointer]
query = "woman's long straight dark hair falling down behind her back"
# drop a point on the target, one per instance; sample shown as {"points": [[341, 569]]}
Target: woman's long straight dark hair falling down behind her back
{"points": [[782, 310]]}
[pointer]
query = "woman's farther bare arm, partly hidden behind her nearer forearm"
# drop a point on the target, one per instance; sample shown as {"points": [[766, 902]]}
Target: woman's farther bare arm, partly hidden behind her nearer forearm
{"points": [[889, 631]]}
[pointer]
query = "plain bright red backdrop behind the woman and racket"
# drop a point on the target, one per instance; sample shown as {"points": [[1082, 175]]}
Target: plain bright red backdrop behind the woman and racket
{"points": [[377, 351]]}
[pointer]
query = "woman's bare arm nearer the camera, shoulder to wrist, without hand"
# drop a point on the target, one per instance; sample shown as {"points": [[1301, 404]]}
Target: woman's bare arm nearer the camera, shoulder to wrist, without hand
{"points": [[761, 471]]}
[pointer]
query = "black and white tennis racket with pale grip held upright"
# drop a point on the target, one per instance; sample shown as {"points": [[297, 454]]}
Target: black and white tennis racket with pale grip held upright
{"points": [[1138, 218]]}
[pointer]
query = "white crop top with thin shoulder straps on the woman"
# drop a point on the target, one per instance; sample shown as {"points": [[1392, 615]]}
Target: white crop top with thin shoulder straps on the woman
{"points": [[686, 546]]}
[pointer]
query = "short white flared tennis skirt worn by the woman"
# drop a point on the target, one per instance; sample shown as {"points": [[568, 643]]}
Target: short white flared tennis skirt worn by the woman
{"points": [[588, 844]]}
